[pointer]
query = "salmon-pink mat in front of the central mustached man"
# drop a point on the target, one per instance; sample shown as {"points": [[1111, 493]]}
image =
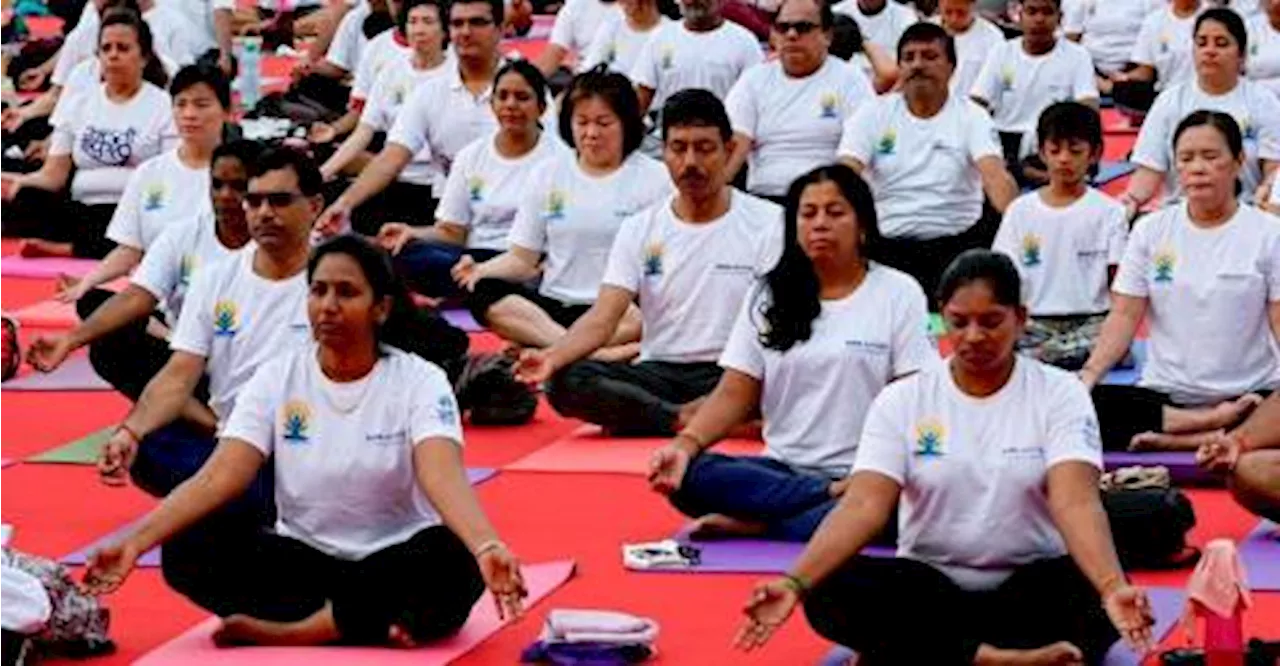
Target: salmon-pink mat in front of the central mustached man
{"points": [[587, 450]]}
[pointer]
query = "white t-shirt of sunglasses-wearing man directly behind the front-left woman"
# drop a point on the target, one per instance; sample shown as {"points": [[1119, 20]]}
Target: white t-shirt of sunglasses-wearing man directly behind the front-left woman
{"points": [[237, 321]]}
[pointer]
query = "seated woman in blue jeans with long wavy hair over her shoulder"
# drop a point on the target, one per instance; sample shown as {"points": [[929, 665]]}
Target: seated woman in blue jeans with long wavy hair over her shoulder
{"points": [[811, 362]]}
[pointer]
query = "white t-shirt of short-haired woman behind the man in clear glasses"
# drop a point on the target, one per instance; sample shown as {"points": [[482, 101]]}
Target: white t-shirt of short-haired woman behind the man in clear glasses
{"points": [[392, 89]]}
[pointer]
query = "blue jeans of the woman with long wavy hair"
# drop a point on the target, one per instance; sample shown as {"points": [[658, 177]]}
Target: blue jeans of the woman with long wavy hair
{"points": [[790, 503]]}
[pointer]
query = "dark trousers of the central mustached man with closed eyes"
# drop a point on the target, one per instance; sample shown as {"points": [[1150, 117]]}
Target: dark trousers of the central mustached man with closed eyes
{"points": [[637, 400]]}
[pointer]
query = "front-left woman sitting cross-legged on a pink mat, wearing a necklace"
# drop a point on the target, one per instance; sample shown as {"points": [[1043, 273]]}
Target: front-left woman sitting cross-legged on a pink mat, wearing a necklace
{"points": [[380, 539]]}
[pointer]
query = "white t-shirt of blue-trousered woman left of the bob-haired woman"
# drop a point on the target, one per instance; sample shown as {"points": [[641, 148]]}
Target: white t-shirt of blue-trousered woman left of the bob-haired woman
{"points": [[484, 189]]}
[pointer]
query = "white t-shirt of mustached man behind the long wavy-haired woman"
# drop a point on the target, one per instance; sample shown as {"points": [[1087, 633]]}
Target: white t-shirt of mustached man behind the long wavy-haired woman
{"points": [[924, 172]]}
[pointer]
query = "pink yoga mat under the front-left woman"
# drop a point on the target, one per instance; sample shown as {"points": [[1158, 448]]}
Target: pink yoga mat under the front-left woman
{"points": [[196, 649]]}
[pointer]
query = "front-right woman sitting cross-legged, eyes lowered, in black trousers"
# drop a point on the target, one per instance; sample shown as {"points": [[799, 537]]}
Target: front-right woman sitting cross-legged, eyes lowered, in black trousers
{"points": [[993, 460]]}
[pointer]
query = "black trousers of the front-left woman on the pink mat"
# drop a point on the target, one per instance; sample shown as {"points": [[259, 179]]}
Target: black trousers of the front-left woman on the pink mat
{"points": [[427, 585]]}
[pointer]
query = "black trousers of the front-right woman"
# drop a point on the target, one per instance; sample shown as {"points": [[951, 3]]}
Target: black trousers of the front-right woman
{"points": [[902, 612]]}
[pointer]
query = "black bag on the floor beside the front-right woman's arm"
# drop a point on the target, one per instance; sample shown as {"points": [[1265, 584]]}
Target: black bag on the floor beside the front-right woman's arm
{"points": [[1150, 527]]}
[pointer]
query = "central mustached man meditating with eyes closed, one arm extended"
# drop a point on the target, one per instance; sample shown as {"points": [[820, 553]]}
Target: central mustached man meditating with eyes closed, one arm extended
{"points": [[689, 262]]}
